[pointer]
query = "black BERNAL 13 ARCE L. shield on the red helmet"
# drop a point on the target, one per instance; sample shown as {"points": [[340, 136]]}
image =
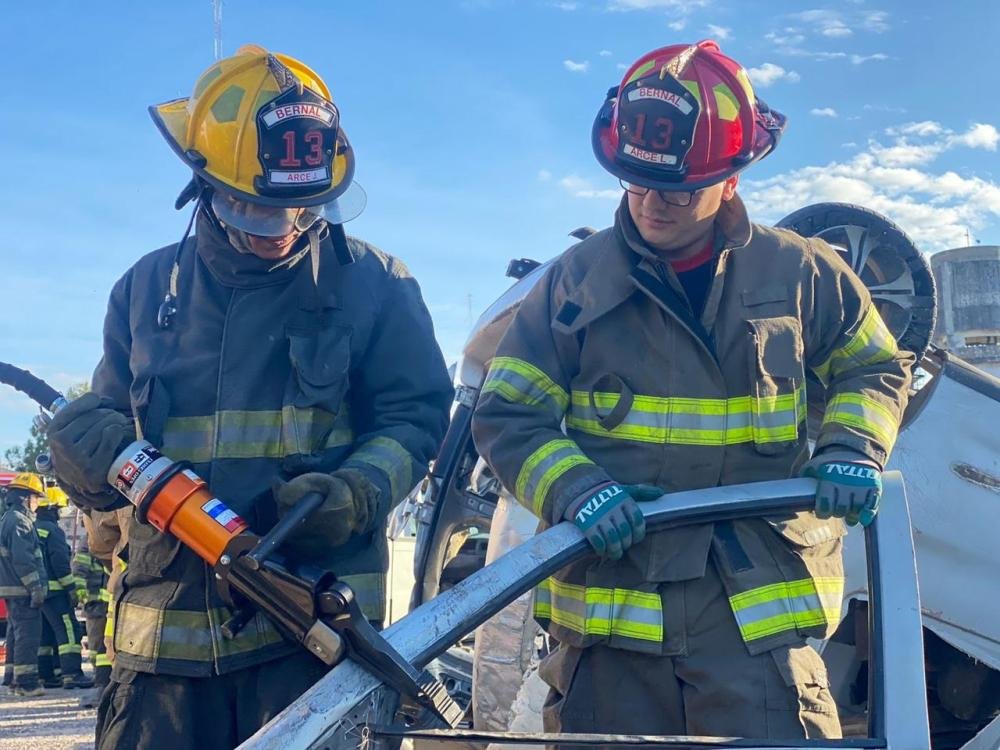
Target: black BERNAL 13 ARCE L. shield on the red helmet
{"points": [[656, 122]]}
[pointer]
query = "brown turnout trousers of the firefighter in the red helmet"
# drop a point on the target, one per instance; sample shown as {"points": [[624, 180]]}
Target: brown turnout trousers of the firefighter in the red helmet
{"points": [[710, 686]]}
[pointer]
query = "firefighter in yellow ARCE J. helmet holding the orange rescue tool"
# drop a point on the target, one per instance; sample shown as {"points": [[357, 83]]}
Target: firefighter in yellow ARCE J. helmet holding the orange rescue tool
{"points": [[279, 357]]}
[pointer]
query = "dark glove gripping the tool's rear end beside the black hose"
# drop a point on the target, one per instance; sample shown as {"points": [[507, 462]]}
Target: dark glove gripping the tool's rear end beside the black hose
{"points": [[85, 437]]}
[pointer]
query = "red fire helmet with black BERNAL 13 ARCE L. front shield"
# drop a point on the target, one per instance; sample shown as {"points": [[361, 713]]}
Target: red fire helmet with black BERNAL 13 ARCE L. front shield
{"points": [[684, 117]]}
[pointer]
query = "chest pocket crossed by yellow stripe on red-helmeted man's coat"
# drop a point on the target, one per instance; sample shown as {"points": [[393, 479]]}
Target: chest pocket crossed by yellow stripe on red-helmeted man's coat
{"points": [[777, 383]]}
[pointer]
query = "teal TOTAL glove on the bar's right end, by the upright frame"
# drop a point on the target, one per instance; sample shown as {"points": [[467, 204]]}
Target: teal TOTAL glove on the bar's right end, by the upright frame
{"points": [[849, 486]]}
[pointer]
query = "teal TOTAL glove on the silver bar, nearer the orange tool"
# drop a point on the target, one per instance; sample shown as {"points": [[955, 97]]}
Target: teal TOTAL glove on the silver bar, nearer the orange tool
{"points": [[610, 519]]}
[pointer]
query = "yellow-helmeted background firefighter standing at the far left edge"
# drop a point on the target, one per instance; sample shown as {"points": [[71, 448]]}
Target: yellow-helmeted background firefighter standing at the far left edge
{"points": [[23, 583]]}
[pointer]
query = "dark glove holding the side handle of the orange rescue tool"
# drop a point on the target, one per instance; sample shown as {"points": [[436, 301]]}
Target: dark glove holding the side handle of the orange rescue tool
{"points": [[350, 504]]}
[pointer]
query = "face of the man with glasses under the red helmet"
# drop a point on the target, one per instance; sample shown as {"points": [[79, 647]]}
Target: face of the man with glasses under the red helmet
{"points": [[673, 229]]}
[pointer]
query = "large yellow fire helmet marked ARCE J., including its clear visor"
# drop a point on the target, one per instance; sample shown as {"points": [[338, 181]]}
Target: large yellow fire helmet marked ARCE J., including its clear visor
{"points": [[261, 129]]}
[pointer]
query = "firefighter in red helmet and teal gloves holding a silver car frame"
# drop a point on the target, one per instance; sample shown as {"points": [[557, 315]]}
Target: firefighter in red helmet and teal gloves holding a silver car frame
{"points": [[667, 353]]}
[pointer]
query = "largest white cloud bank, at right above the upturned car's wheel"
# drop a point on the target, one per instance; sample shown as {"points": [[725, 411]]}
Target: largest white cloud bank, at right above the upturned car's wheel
{"points": [[895, 179]]}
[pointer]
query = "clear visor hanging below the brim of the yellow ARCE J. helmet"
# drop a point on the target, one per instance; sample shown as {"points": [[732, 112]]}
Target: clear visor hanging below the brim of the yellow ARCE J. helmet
{"points": [[273, 221]]}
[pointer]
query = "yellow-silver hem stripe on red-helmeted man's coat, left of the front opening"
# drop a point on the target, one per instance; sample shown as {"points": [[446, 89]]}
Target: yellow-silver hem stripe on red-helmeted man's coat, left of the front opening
{"points": [[590, 610]]}
